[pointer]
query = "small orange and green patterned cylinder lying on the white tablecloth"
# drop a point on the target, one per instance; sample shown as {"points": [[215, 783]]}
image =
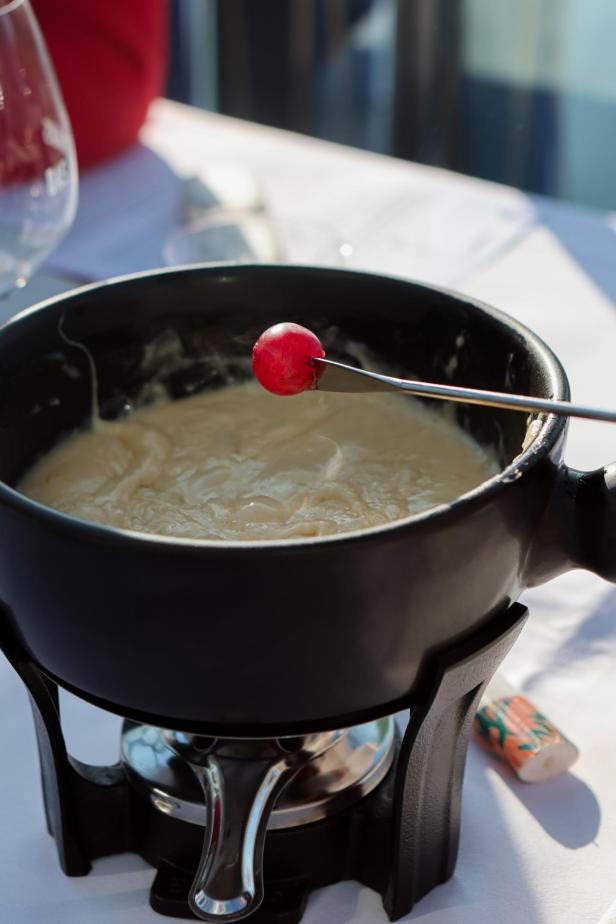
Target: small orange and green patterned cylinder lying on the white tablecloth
{"points": [[512, 728]]}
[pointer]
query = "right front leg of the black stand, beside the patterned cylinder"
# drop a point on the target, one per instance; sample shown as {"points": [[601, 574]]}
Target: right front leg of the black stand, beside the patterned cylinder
{"points": [[430, 770]]}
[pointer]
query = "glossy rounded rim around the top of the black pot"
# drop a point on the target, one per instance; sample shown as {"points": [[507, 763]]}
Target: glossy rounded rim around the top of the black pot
{"points": [[552, 426]]}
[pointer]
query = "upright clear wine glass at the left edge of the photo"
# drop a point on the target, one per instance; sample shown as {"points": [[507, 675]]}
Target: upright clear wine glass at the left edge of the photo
{"points": [[38, 167]]}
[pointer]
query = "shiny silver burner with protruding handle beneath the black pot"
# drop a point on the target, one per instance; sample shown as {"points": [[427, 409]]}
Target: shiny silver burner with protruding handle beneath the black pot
{"points": [[236, 789]]}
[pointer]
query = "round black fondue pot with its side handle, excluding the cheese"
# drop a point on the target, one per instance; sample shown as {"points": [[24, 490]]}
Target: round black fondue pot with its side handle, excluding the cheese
{"points": [[260, 639]]}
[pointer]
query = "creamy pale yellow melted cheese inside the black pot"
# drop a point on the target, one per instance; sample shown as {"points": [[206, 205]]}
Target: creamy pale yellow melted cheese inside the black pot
{"points": [[241, 464]]}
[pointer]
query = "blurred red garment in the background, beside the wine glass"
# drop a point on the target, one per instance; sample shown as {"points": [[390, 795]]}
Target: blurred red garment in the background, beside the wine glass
{"points": [[110, 58]]}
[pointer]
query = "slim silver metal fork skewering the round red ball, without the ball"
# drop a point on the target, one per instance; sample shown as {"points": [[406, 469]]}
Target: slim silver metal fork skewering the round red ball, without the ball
{"points": [[338, 377]]}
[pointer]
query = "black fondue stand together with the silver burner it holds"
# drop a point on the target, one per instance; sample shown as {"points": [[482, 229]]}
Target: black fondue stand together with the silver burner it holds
{"points": [[239, 827]]}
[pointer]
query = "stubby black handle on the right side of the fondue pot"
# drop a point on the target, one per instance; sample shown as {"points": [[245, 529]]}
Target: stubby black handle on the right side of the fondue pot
{"points": [[579, 528]]}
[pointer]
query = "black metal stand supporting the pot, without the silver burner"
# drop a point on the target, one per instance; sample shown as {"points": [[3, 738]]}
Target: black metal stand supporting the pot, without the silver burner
{"points": [[401, 839]]}
